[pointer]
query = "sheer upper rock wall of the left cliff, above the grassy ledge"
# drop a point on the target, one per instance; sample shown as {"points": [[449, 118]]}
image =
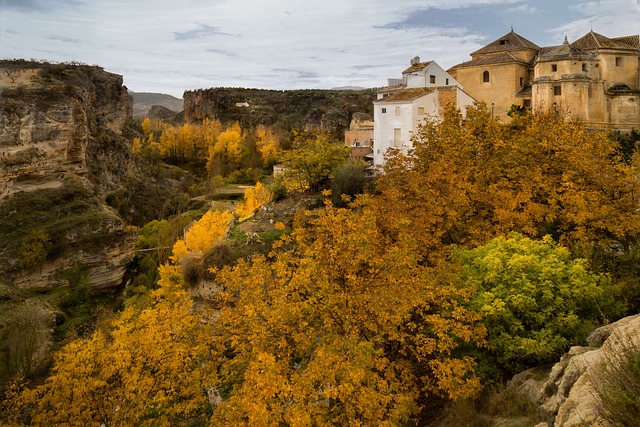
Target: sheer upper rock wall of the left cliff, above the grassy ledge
{"points": [[51, 115]]}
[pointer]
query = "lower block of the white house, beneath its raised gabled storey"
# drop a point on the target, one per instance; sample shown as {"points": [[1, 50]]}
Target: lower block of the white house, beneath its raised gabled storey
{"points": [[398, 115]]}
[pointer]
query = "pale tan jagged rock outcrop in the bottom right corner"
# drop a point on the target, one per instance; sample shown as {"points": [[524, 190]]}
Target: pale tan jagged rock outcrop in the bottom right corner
{"points": [[569, 395]]}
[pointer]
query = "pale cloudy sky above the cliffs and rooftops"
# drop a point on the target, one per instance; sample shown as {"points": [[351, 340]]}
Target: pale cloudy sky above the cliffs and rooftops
{"points": [[170, 46]]}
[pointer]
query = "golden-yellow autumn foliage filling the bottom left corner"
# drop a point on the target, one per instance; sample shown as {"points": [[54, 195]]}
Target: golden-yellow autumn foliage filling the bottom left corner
{"points": [[146, 366]]}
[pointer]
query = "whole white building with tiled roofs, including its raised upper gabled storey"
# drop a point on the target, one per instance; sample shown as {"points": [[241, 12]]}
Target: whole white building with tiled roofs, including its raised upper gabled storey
{"points": [[422, 94]]}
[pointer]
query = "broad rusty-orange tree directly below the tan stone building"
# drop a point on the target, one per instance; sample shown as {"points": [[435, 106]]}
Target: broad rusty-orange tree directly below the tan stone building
{"points": [[468, 181]]}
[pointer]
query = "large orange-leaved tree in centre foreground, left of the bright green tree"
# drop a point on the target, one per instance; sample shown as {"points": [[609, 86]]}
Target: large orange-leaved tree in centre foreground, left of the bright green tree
{"points": [[342, 328]]}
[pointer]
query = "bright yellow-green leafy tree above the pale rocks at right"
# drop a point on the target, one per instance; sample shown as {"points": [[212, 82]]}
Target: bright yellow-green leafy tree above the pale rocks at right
{"points": [[536, 300]]}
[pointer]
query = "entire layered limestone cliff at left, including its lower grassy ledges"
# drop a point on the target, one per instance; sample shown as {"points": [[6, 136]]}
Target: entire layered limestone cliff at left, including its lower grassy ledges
{"points": [[61, 149]]}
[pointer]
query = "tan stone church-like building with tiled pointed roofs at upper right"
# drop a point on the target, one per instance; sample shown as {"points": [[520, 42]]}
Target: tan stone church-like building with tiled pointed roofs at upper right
{"points": [[595, 79]]}
